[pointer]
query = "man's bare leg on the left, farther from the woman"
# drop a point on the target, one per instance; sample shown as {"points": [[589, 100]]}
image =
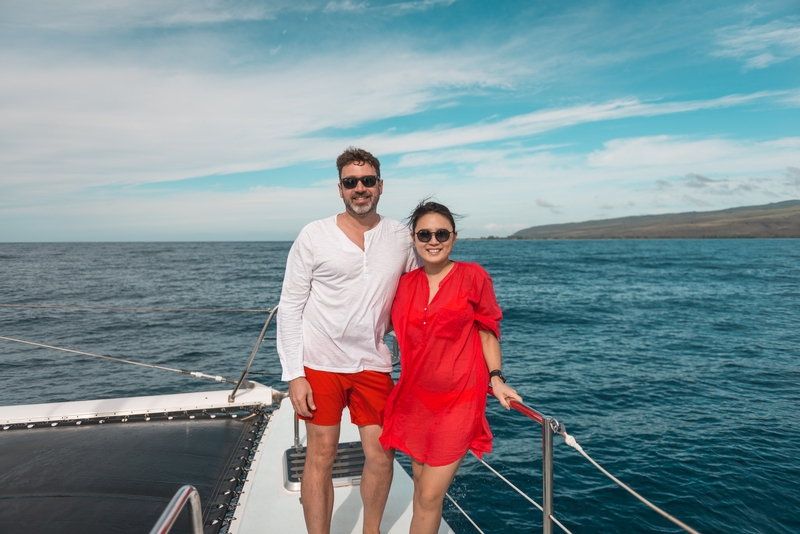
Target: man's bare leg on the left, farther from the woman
{"points": [[316, 488]]}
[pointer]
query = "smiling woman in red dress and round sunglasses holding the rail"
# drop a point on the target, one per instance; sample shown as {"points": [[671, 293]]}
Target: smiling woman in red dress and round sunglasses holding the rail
{"points": [[447, 322]]}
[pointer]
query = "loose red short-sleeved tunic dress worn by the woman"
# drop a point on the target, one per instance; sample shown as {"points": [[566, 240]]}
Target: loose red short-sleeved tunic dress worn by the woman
{"points": [[437, 409]]}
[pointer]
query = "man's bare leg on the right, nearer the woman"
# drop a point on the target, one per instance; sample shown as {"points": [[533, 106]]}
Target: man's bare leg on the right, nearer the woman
{"points": [[376, 478]]}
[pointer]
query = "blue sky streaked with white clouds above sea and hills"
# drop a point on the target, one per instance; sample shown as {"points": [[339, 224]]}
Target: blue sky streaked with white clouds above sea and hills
{"points": [[212, 120]]}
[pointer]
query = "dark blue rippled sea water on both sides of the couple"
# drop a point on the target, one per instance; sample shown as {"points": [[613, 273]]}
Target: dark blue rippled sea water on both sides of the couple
{"points": [[676, 364]]}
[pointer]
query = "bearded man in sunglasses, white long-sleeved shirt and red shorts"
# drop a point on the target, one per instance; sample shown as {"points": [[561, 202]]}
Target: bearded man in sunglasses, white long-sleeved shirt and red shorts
{"points": [[341, 276]]}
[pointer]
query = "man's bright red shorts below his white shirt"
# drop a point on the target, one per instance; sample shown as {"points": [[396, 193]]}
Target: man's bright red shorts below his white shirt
{"points": [[365, 393]]}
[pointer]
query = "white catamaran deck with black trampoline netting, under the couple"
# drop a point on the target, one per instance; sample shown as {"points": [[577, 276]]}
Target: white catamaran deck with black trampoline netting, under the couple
{"points": [[113, 465]]}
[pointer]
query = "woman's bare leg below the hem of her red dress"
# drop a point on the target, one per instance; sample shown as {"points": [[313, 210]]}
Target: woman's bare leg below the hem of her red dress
{"points": [[430, 485]]}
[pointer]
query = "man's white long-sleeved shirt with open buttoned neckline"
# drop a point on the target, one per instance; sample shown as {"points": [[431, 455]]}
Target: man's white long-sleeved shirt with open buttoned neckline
{"points": [[336, 299]]}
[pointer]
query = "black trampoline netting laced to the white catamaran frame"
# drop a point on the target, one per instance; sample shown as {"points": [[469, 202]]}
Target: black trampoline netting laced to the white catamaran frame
{"points": [[118, 477]]}
